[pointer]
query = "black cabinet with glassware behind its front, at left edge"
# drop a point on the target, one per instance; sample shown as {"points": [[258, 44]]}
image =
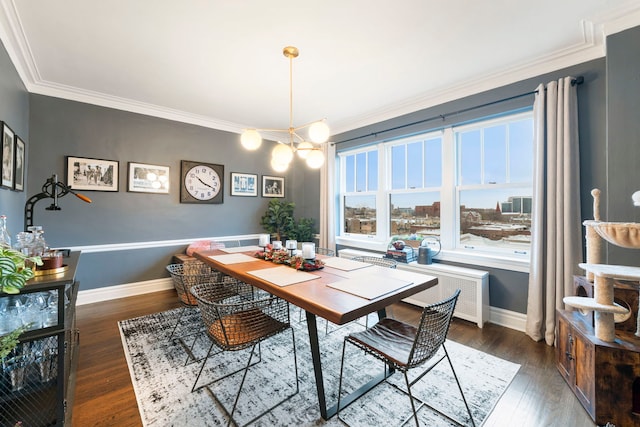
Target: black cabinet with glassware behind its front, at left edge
{"points": [[37, 379]]}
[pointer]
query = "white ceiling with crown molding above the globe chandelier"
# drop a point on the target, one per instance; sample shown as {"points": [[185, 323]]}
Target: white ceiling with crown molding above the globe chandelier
{"points": [[219, 63]]}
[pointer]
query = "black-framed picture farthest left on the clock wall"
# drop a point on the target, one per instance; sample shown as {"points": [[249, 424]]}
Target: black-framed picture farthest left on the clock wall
{"points": [[92, 174]]}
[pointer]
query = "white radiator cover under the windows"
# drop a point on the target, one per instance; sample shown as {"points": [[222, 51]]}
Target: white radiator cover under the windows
{"points": [[473, 303]]}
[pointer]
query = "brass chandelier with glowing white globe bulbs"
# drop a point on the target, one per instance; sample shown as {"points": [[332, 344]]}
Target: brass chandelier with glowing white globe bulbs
{"points": [[282, 154]]}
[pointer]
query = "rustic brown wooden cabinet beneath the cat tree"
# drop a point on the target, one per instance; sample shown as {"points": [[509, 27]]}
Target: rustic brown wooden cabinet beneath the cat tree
{"points": [[604, 376]]}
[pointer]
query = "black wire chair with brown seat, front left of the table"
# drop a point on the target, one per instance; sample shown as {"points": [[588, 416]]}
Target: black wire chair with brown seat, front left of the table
{"points": [[241, 322]]}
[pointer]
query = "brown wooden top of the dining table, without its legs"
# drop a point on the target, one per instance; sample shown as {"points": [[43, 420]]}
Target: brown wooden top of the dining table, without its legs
{"points": [[315, 296]]}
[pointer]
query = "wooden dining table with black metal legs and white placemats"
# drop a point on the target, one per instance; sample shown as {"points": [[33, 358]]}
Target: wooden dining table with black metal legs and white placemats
{"points": [[340, 292]]}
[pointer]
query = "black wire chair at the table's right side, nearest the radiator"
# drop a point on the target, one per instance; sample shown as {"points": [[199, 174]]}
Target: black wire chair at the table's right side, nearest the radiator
{"points": [[403, 347]]}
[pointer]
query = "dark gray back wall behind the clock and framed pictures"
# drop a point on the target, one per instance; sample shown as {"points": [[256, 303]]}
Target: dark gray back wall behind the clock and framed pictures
{"points": [[62, 128]]}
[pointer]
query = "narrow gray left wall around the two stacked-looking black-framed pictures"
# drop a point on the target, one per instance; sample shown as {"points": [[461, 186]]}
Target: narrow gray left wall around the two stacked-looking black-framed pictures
{"points": [[14, 110]]}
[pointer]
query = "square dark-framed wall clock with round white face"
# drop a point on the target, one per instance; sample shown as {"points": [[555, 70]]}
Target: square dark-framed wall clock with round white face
{"points": [[201, 182]]}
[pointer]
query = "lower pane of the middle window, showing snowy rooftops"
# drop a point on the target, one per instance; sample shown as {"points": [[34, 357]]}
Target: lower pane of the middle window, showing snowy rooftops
{"points": [[415, 214]]}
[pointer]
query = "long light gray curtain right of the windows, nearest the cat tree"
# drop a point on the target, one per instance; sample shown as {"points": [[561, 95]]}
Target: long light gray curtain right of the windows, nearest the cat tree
{"points": [[556, 231]]}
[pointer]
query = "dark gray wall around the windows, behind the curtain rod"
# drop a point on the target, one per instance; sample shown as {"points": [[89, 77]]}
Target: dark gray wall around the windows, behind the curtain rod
{"points": [[508, 289]]}
